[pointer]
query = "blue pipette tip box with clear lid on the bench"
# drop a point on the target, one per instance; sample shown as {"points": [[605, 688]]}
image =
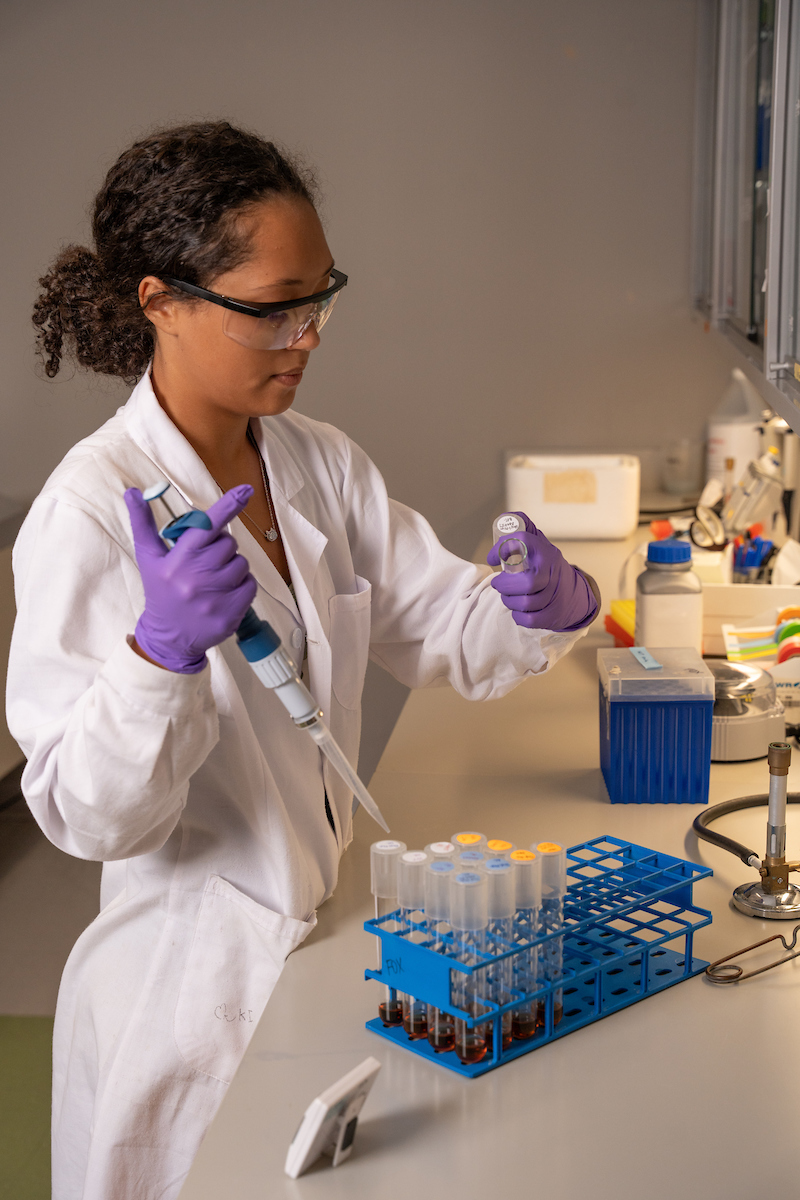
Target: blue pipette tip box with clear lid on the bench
{"points": [[655, 727]]}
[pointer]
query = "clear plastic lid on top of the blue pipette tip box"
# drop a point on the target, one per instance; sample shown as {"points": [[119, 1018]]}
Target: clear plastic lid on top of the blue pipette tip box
{"points": [[683, 673]]}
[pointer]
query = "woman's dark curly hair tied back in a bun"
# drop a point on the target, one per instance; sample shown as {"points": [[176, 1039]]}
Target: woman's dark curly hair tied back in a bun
{"points": [[167, 207]]}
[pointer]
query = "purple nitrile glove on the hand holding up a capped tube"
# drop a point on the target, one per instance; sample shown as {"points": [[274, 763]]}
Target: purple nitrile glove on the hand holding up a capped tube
{"points": [[551, 593]]}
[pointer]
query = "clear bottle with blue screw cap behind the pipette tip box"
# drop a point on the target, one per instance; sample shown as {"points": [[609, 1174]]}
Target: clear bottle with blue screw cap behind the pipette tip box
{"points": [[669, 598]]}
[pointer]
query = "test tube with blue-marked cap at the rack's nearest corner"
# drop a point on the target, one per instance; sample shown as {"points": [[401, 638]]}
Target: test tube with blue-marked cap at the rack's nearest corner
{"points": [[468, 920]]}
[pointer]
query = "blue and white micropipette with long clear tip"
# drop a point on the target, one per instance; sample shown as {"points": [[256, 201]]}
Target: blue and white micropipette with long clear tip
{"points": [[274, 667]]}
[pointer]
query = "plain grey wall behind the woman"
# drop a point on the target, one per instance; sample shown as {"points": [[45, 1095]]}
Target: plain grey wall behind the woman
{"points": [[508, 184]]}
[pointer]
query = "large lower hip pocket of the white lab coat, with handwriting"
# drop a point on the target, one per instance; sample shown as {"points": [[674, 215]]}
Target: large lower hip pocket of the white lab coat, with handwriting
{"points": [[237, 956]]}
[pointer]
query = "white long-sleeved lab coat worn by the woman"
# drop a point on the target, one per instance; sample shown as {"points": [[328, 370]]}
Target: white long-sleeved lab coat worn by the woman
{"points": [[202, 800]]}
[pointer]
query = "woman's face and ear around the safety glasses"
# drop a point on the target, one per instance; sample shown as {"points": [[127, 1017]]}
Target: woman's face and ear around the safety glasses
{"points": [[290, 259]]}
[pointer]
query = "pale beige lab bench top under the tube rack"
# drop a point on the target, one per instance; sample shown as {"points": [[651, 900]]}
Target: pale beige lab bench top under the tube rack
{"points": [[688, 1094]]}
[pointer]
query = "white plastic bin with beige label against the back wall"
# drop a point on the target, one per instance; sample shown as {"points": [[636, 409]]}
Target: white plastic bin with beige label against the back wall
{"points": [[576, 495]]}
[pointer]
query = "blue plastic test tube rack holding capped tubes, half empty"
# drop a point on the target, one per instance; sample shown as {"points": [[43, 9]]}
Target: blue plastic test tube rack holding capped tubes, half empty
{"points": [[629, 927]]}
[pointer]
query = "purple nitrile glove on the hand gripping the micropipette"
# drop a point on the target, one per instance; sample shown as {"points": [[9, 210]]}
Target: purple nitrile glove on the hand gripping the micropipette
{"points": [[195, 595]]}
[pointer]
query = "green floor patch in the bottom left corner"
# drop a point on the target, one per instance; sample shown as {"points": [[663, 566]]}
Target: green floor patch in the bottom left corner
{"points": [[26, 1108]]}
